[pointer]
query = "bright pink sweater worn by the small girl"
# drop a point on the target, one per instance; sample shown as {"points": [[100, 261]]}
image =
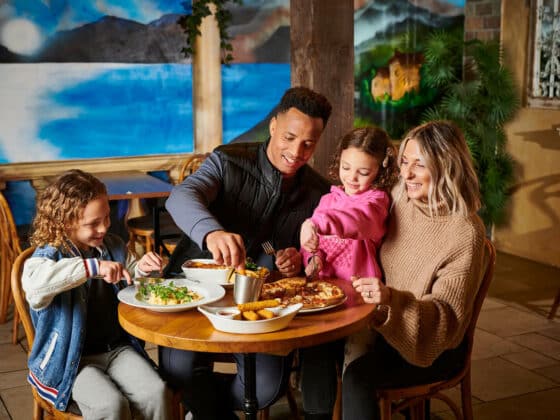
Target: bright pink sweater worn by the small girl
{"points": [[350, 229]]}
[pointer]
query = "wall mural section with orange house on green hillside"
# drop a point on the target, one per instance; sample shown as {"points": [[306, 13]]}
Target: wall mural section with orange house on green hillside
{"points": [[388, 42]]}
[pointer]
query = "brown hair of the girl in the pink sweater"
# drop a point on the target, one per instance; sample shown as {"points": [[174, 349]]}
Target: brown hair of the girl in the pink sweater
{"points": [[375, 142]]}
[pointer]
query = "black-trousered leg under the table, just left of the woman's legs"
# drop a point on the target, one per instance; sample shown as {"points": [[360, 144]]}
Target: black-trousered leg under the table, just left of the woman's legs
{"points": [[319, 378]]}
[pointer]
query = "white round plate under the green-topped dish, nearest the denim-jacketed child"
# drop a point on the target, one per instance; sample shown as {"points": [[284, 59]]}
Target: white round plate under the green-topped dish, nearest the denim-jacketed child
{"points": [[209, 292]]}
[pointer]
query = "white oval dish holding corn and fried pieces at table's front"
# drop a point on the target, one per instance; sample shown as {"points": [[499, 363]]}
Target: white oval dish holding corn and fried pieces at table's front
{"points": [[226, 324]]}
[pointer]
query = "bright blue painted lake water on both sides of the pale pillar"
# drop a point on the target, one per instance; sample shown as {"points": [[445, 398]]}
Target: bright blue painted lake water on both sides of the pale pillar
{"points": [[143, 110]]}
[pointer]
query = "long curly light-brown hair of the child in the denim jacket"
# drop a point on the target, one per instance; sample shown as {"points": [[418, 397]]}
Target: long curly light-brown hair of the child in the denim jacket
{"points": [[61, 205]]}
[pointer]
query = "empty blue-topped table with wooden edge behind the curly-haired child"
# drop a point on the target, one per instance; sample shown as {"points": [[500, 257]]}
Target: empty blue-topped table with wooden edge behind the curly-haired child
{"points": [[135, 184]]}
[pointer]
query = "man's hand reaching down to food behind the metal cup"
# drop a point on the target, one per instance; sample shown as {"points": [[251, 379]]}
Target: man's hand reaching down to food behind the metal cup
{"points": [[227, 248]]}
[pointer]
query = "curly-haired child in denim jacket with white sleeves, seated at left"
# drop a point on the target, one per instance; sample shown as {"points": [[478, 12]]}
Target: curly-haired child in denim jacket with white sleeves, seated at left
{"points": [[71, 281]]}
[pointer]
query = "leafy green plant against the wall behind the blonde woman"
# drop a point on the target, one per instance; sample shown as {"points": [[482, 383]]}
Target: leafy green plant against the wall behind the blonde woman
{"points": [[480, 103]]}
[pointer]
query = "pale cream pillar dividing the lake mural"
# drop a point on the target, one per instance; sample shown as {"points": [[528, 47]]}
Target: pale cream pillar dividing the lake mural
{"points": [[207, 87]]}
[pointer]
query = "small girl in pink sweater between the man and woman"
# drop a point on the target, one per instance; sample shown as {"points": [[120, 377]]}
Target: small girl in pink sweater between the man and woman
{"points": [[342, 237]]}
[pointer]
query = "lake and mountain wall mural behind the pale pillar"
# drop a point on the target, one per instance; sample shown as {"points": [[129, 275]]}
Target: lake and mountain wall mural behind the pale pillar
{"points": [[83, 79]]}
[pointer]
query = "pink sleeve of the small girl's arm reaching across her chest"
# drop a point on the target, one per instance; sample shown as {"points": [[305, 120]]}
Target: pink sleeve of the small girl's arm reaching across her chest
{"points": [[356, 219]]}
